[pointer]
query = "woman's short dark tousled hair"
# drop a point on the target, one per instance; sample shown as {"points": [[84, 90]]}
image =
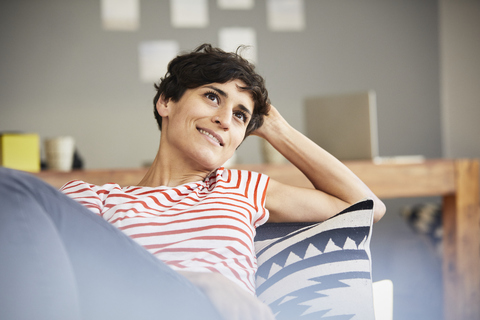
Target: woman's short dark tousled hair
{"points": [[205, 65]]}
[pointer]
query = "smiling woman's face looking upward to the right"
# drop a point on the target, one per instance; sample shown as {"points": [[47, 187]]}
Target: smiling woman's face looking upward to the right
{"points": [[207, 124]]}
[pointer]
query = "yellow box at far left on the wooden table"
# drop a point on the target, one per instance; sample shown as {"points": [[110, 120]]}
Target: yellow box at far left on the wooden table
{"points": [[20, 151]]}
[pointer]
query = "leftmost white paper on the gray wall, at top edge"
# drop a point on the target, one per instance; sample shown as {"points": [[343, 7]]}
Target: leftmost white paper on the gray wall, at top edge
{"points": [[121, 15]]}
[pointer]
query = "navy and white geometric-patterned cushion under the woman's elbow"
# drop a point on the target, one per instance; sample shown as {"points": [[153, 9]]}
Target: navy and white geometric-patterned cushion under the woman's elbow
{"points": [[320, 271]]}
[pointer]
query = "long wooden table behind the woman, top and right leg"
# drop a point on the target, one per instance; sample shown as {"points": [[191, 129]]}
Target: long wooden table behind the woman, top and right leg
{"points": [[456, 181]]}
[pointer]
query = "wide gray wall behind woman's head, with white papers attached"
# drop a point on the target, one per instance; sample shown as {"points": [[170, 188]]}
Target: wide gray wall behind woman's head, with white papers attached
{"points": [[61, 73]]}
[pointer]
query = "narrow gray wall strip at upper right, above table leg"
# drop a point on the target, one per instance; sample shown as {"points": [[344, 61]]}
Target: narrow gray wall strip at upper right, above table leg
{"points": [[460, 77]]}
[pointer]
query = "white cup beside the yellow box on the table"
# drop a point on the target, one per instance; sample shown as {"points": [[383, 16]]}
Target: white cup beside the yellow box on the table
{"points": [[59, 152]]}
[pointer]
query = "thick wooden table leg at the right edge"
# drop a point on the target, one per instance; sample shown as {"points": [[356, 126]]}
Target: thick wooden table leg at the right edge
{"points": [[461, 256]]}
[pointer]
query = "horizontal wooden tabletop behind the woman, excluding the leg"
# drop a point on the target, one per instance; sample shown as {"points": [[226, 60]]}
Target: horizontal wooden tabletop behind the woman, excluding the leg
{"points": [[429, 178]]}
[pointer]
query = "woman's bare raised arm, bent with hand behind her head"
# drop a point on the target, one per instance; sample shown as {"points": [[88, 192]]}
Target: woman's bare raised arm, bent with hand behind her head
{"points": [[336, 187]]}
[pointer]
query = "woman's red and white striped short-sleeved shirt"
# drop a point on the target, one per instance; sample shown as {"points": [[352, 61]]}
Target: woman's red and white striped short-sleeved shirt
{"points": [[205, 226]]}
